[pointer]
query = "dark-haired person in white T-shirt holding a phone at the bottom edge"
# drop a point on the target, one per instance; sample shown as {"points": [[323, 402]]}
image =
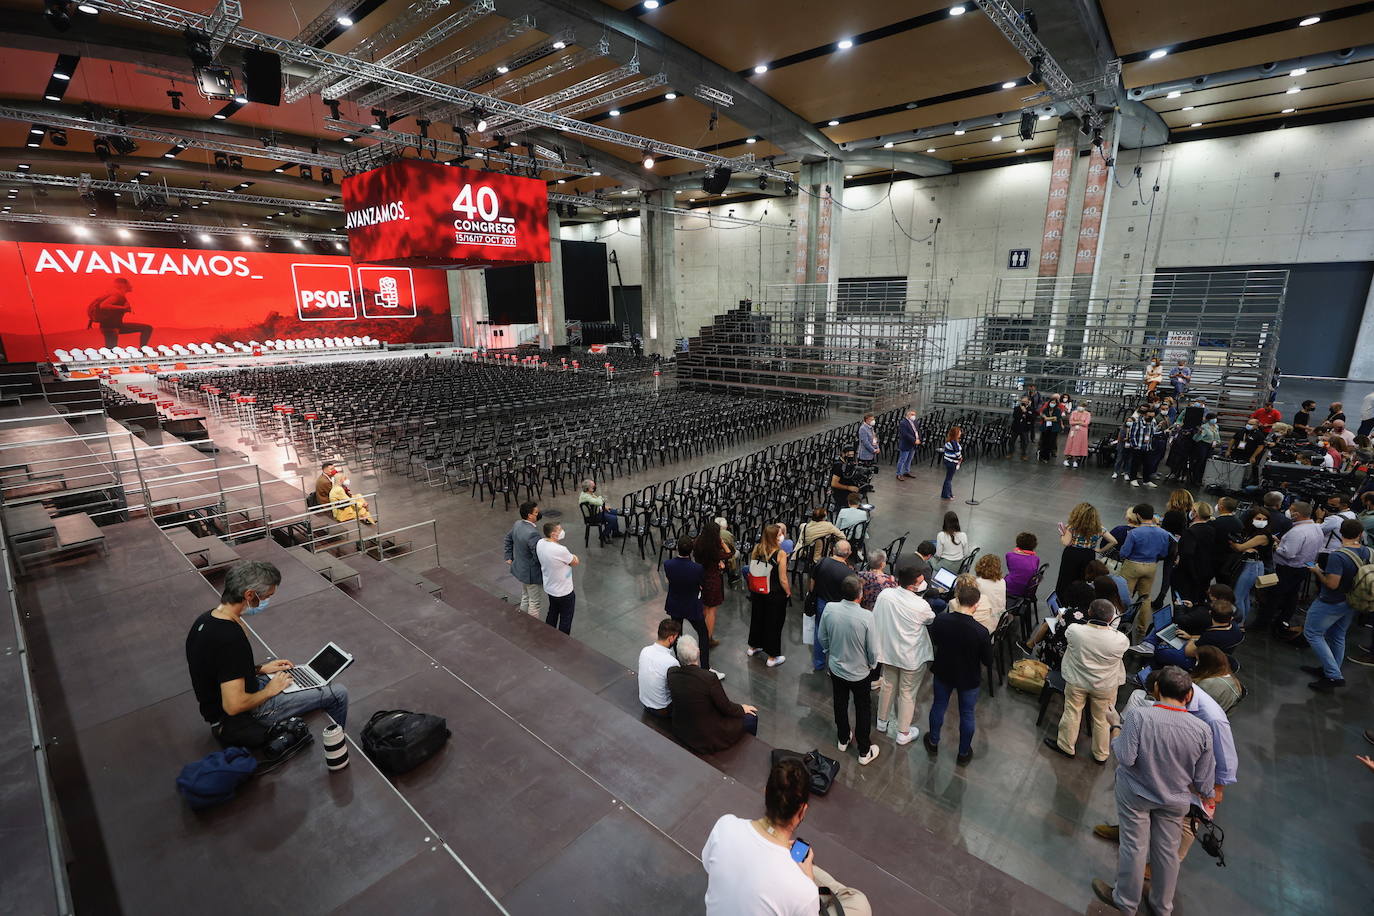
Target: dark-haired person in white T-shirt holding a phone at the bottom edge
{"points": [[751, 867]]}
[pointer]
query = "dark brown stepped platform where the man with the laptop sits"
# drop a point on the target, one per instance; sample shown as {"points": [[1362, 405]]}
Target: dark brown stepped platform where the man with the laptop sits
{"points": [[552, 797]]}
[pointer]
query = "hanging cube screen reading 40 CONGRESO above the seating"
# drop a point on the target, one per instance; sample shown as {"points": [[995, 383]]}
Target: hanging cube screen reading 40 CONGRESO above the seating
{"points": [[423, 214]]}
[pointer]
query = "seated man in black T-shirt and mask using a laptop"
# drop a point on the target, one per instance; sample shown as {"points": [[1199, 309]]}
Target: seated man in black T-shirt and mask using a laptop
{"points": [[240, 698]]}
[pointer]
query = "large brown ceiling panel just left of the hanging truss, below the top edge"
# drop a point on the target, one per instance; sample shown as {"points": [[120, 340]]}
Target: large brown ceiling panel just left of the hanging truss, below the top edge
{"points": [[947, 57]]}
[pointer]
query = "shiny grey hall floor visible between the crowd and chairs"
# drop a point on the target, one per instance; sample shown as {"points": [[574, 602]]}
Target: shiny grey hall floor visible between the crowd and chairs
{"points": [[1300, 832]]}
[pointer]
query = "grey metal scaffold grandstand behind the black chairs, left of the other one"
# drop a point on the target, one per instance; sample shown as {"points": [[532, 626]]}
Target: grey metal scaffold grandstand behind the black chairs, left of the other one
{"points": [[862, 345]]}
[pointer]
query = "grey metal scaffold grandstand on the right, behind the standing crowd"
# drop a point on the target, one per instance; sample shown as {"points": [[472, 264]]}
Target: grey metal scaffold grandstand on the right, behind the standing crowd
{"points": [[1094, 341]]}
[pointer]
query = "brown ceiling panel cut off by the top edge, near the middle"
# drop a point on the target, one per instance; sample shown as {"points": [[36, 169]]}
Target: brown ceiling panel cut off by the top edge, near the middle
{"points": [[741, 35]]}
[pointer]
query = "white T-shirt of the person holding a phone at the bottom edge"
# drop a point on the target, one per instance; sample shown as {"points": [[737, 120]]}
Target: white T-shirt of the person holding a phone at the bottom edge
{"points": [[750, 875]]}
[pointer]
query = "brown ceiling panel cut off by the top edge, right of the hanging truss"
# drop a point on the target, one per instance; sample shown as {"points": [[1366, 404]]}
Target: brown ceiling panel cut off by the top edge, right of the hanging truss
{"points": [[1144, 25]]}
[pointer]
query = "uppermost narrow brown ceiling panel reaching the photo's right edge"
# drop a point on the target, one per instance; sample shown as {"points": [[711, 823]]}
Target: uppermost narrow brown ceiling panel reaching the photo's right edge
{"points": [[1283, 46]]}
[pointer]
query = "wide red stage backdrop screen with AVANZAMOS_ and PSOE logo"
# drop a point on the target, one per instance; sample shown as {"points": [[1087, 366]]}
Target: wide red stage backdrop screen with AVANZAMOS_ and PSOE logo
{"points": [[89, 296]]}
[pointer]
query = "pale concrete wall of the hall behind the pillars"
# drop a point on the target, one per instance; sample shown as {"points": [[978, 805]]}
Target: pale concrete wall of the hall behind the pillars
{"points": [[1219, 204]]}
